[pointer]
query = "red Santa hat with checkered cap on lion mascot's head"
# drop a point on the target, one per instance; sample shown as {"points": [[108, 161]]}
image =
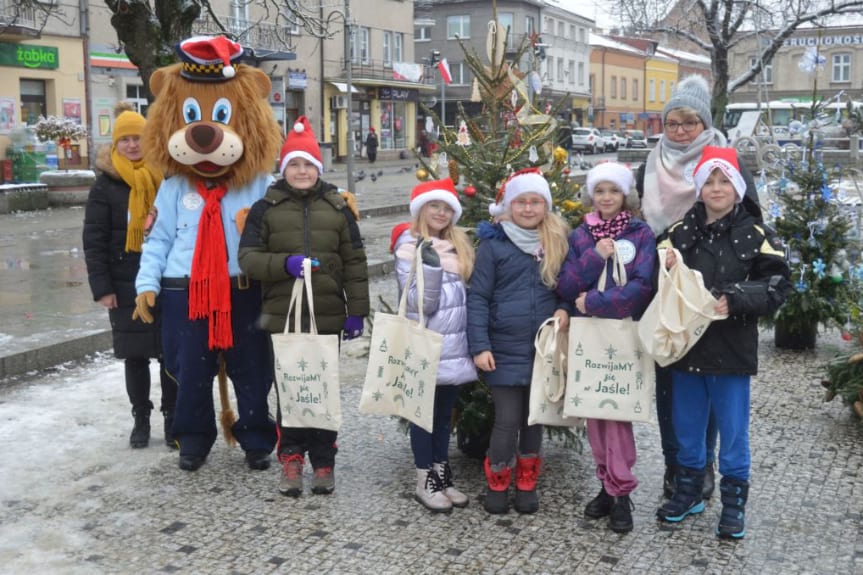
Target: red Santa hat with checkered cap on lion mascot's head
{"points": [[208, 59]]}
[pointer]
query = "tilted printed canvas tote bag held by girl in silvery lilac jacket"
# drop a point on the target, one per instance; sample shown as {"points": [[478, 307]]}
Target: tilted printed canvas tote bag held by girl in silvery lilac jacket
{"points": [[403, 362]]}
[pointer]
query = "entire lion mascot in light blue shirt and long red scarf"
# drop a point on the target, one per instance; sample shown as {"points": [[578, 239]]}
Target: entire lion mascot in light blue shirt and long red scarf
{"points": [[212, 133]]}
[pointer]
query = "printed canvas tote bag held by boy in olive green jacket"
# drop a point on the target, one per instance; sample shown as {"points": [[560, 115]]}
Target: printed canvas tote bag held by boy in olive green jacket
{"points": [[307, 367]]}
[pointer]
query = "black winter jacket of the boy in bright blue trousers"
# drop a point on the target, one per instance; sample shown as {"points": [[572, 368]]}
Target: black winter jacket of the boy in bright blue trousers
{"points": [[743, 259]]}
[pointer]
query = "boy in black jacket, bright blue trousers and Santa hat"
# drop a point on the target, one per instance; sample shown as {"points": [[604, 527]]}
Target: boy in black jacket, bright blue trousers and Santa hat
{"points": [[743, 263]]}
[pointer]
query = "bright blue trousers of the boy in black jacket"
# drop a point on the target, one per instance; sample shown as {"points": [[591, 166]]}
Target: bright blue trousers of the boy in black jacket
{"points": [[726, 397]]}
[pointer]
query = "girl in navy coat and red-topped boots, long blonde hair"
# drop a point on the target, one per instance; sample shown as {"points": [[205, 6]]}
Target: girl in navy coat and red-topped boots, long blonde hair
{"points": [[511, 295]]}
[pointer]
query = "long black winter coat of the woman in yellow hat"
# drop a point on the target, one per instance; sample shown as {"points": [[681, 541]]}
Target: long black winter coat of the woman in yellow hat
{"points": [[111, 269]]}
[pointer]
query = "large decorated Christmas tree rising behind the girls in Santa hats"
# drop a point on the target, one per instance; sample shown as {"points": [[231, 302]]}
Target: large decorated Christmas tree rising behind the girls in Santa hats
{"points": [[509, 133]]}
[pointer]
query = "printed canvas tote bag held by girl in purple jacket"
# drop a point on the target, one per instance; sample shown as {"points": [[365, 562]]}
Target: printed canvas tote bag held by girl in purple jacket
{"points": [[608, 374]]}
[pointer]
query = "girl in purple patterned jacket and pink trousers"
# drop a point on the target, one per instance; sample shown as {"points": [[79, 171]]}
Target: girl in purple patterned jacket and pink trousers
{"points": [[611, 224]]}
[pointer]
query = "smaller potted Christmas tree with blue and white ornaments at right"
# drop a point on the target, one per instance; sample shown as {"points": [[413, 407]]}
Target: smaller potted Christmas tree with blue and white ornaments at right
{"points": [[808, 213]]}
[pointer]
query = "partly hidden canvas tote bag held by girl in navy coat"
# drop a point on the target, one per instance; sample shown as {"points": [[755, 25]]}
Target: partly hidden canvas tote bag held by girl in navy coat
{"points": [[548, 382]]}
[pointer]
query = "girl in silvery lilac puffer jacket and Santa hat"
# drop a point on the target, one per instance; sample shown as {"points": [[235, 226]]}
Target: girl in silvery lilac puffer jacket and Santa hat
{"points": [[448, 257]]}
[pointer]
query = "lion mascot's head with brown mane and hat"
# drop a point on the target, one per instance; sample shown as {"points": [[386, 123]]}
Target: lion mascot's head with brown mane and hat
{"points": [[211, 118]]}
